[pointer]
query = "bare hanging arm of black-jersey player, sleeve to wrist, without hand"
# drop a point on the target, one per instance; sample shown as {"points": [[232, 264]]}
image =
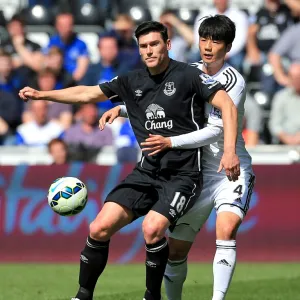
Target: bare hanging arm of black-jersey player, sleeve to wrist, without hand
{"points": [[223, 102]]}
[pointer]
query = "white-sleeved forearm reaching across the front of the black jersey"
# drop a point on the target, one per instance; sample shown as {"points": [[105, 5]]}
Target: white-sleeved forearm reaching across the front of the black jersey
{"points": [[208, 135]]}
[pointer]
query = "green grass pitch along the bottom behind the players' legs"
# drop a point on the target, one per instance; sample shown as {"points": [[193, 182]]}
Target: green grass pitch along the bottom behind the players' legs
{"points": [[126, 282]]}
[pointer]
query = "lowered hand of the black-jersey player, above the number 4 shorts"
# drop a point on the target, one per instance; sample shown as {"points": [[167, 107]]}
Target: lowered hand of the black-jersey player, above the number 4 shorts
{"points": [[231, 164]]}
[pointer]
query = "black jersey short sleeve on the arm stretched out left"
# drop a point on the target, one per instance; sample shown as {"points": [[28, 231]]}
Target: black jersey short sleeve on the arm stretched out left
{"points": [[115, 89]]}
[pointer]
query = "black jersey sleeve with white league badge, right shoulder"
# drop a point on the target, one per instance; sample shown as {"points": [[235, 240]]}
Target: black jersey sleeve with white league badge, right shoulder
{"points": [[204, 85]]}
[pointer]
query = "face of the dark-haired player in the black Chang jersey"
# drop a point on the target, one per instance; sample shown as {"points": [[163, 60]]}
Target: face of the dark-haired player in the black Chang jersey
{"points": [[153, 49]]}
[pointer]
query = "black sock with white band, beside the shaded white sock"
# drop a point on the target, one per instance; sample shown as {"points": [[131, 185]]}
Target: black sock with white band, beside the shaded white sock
{"points": [[156, 261]]}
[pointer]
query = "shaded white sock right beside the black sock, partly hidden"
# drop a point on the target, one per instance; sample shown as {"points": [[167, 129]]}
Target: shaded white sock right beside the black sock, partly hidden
{"points": [[175, 275]]}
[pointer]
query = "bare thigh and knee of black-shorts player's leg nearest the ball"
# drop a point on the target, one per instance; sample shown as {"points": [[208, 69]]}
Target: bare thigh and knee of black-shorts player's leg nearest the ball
{"points": [[110, 219]]}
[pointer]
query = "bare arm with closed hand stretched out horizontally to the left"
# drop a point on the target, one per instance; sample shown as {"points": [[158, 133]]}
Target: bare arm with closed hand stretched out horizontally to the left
{"points": [[77, 94]]}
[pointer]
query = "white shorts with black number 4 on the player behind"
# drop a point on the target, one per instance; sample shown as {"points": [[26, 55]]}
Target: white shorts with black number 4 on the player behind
{"points": [[223, 195]]}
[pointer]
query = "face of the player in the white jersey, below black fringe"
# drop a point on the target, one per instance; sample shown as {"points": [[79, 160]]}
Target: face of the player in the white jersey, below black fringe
{"points": [[212, 51]]}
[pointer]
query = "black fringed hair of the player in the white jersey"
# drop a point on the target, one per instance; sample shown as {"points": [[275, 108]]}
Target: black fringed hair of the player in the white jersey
{"points": [[218, 27]]}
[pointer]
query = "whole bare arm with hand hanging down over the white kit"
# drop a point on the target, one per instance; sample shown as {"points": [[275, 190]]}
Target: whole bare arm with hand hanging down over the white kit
{"points": [[230, 161]]}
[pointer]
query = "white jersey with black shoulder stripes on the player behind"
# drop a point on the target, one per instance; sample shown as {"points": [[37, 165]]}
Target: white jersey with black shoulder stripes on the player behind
{"points": [[234, 85]]}
